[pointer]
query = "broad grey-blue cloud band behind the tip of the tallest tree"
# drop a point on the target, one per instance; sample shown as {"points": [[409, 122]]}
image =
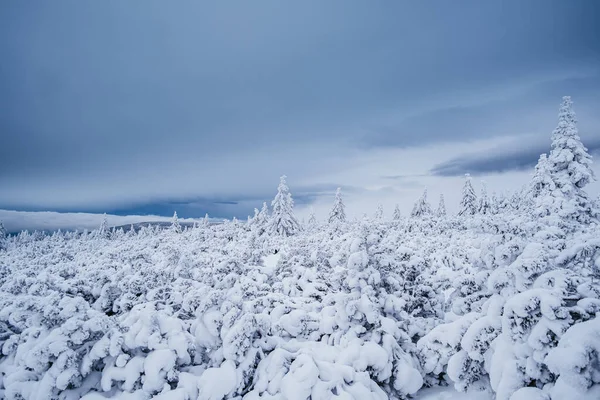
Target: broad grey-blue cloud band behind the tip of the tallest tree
{"points": [[524, 105]]}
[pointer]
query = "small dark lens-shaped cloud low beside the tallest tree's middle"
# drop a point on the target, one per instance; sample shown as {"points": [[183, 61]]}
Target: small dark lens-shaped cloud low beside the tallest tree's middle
{"points": [[517, 156]]}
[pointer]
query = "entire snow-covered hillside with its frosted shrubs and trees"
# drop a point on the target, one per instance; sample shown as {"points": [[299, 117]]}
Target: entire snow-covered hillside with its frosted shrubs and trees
{"points": [[499, 302]]}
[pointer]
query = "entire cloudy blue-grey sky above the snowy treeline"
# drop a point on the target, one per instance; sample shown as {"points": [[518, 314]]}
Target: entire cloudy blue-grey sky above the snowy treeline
{"points": [[150, 107]]}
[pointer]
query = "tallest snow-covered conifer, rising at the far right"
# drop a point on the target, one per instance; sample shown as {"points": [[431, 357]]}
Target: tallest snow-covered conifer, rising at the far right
{"points": [[570, 165]]}
